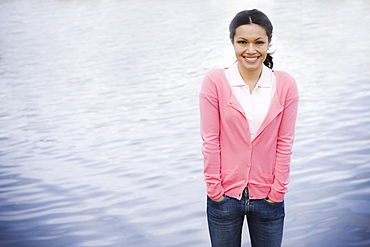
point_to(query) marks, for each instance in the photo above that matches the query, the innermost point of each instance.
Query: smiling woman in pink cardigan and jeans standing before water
(248, 114)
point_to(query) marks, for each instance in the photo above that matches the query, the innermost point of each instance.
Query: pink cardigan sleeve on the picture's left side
(210, 133)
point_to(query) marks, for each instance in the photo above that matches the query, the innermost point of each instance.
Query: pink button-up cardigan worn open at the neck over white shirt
(231, 160)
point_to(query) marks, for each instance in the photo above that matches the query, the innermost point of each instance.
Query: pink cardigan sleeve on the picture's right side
(285, 143)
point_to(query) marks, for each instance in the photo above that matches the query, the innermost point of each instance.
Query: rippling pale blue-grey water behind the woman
(99, 119)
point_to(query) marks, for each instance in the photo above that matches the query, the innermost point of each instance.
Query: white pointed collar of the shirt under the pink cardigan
(236, 79)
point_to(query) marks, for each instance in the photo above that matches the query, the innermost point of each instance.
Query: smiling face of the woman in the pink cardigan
(250, 44)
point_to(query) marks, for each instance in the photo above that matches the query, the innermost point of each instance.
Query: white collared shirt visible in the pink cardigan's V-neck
(257, 103)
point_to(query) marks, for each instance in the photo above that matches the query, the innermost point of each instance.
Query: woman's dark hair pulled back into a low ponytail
(253, 16)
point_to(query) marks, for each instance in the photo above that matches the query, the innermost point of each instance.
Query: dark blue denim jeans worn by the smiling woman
(225, 221)
